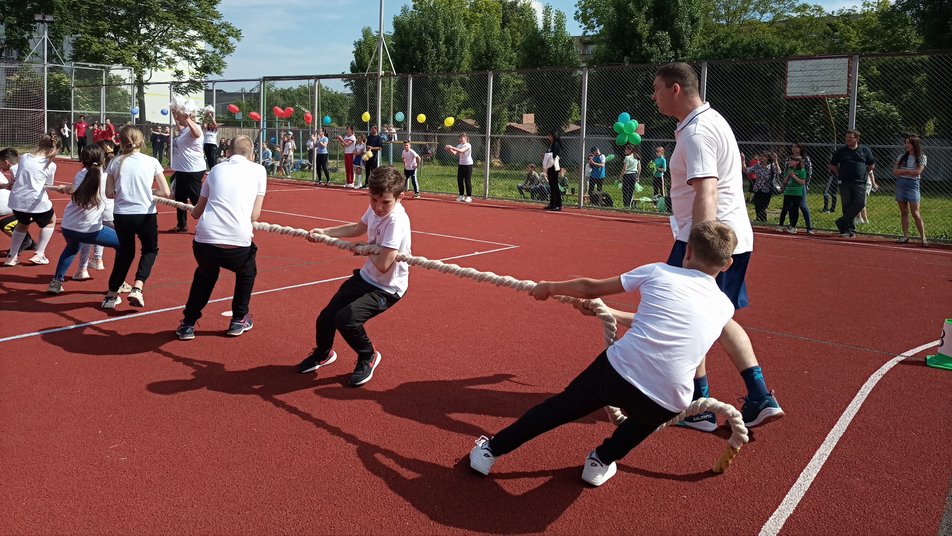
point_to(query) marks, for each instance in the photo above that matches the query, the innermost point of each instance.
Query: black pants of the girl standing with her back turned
(128, 227)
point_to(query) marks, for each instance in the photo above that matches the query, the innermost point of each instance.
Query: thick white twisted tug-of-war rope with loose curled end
(609, 328)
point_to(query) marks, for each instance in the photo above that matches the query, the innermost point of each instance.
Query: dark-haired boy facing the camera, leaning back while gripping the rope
(374, 288)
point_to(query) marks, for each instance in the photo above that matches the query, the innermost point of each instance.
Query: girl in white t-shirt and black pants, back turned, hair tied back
(132, 177)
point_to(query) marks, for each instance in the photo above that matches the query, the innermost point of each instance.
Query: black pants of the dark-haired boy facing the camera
(356, 302)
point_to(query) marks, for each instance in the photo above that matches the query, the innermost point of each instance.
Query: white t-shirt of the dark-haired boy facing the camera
(392, 231)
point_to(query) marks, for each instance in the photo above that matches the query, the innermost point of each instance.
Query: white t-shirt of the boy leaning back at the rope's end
(681, 314)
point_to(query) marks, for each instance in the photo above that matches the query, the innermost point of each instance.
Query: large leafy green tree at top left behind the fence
(190, 39)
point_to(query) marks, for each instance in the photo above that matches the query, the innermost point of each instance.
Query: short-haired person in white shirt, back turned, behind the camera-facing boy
(229, 203)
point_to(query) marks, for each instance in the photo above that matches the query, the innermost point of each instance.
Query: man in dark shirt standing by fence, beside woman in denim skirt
(850, 164)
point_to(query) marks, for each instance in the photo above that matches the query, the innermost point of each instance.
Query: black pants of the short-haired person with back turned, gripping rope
(211, 259)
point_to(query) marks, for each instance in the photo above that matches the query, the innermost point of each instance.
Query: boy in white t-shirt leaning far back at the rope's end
(649, 372)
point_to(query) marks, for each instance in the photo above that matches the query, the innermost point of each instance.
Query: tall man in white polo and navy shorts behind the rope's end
(706, 184)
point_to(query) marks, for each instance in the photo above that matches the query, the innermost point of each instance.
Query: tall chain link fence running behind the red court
(506, 116)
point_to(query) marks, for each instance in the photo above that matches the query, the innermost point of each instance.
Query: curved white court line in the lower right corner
(800, 487)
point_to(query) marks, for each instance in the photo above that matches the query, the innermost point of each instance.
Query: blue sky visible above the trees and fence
(303, 37)
